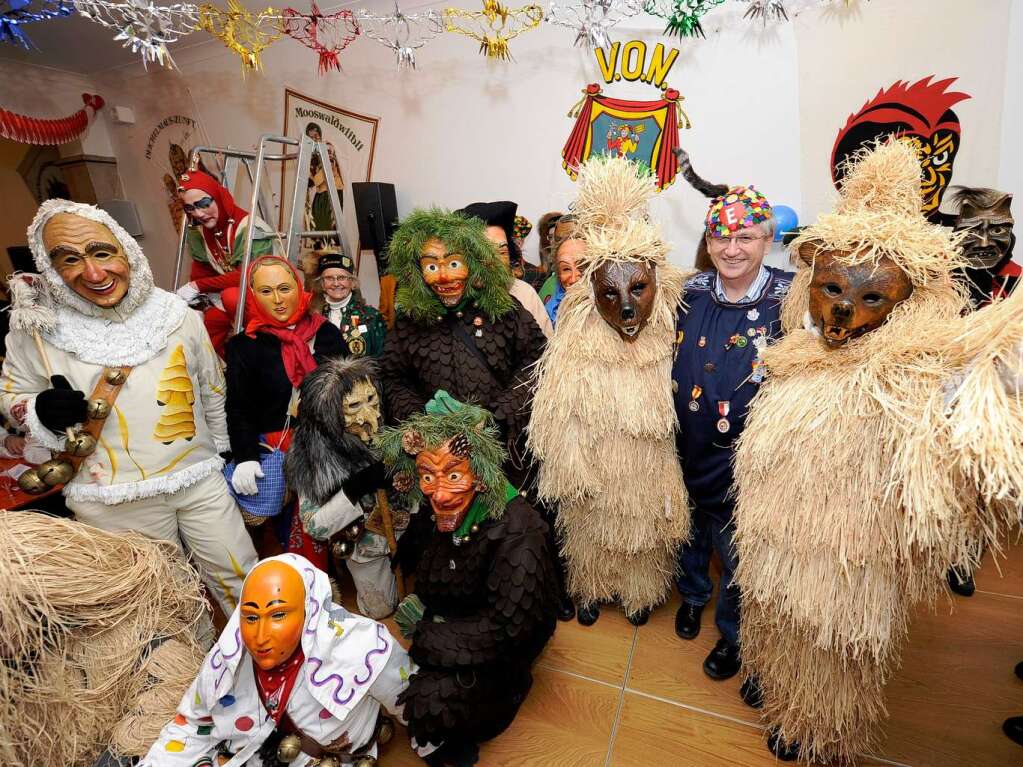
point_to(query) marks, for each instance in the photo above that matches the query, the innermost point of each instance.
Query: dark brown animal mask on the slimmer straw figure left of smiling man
(625, 295)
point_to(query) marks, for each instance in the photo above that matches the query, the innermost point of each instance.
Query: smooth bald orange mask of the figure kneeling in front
(273, 613)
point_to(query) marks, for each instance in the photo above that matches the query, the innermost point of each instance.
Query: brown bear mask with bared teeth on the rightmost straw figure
(850, 301)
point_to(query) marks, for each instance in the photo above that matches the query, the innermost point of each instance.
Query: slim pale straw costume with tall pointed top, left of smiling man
(604, 420)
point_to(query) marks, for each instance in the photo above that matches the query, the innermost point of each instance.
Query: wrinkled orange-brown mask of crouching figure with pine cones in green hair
(447, 478)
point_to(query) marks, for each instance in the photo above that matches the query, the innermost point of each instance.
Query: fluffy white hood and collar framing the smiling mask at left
(129, 334)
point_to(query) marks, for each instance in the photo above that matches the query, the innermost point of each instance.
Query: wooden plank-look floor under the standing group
(615, 695)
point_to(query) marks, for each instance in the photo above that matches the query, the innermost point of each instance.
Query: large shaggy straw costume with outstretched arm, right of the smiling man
(868, 462)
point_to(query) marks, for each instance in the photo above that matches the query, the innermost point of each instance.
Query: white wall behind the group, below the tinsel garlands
(766, 107)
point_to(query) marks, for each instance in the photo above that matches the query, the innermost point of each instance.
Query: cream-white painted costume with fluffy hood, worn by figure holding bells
(157, 468)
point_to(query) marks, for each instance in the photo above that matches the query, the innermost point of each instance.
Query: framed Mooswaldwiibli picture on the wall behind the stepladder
(351, 141)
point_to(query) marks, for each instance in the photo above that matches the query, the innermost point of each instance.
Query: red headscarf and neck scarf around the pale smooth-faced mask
(294, 334)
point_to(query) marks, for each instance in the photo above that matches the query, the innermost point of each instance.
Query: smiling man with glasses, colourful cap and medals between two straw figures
(731, 313)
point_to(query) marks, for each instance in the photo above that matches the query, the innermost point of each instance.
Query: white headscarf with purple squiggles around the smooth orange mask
(344, 653)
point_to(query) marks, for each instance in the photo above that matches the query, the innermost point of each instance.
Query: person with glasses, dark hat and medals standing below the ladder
(361, 325)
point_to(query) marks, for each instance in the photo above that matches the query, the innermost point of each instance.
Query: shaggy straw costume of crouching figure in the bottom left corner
(99, 640)
